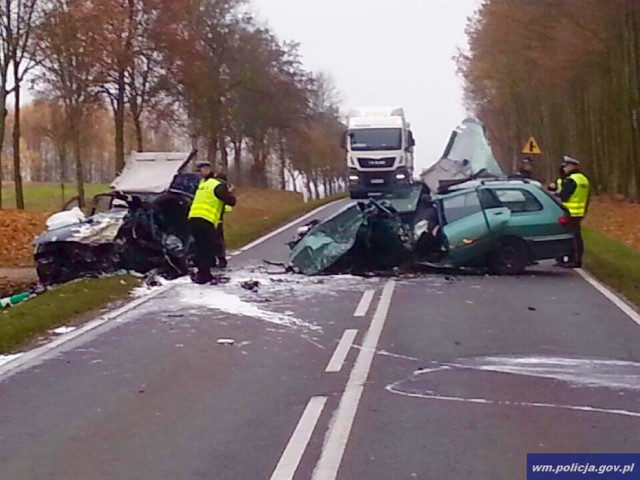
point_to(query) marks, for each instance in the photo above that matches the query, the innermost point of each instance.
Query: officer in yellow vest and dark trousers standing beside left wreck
(205, 216)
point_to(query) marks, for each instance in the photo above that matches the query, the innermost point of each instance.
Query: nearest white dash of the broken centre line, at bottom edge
(288, 464)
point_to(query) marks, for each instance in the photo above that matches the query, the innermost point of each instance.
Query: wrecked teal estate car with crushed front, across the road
(500, 225)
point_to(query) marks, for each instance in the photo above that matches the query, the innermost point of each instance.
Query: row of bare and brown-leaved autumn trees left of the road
(203, 71)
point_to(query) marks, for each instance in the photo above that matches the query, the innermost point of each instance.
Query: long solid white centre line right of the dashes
(340, 429)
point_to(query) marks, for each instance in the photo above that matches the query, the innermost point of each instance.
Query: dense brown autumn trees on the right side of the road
(566, 72)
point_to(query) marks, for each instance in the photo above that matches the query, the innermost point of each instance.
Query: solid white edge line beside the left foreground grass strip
(68, 341)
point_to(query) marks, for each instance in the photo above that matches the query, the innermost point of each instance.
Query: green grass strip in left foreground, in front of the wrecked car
(22, 324)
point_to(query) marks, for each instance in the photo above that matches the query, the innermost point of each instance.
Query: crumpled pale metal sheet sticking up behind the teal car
(467, 154)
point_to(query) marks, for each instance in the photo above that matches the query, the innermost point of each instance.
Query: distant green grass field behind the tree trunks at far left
(46, 197)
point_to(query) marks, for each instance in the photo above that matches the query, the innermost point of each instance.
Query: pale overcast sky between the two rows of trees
(384, 52)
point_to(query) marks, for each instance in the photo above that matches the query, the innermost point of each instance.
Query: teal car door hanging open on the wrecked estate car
(466, 228)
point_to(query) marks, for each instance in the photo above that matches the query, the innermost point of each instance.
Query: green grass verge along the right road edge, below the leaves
(613, 263)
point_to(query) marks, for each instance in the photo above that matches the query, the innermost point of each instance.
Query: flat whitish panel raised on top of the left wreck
(150, 172)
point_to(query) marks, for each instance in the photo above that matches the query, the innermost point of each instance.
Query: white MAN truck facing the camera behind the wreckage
(379, 145)
